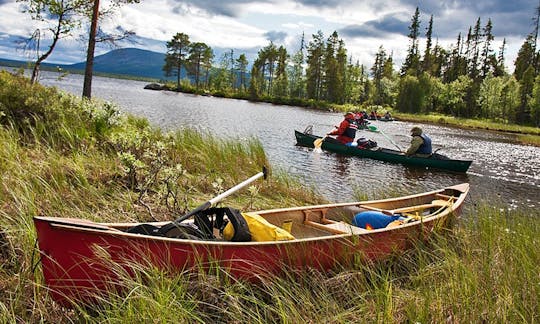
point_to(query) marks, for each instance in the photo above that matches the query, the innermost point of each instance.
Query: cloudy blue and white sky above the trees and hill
(246, 26)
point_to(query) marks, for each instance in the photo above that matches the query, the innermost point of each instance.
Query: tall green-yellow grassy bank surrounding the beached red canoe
(60, 156)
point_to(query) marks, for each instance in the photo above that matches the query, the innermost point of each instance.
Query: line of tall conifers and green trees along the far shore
(468, 79)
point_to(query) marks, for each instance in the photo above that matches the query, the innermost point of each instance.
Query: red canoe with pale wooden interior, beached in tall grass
(81, 259)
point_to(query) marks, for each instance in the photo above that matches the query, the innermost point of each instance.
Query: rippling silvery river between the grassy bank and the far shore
(502, 173)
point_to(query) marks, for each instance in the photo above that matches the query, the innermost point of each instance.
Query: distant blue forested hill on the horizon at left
(126, 61)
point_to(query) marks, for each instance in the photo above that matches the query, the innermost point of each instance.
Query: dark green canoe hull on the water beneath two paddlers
(384, 154)
